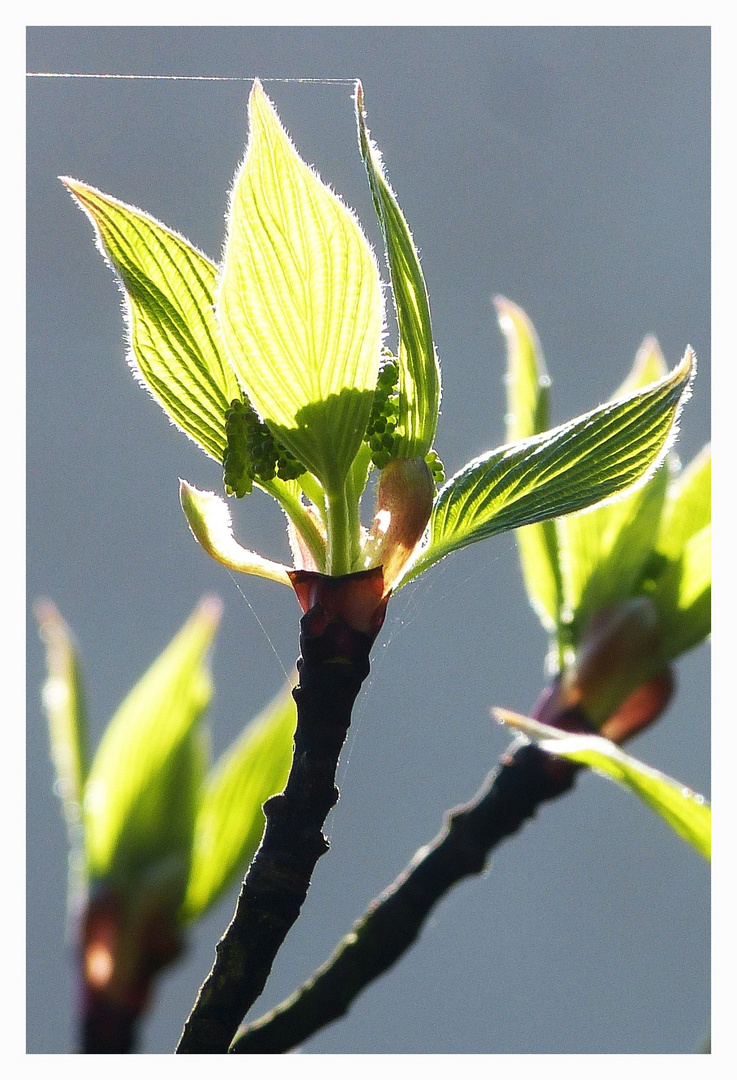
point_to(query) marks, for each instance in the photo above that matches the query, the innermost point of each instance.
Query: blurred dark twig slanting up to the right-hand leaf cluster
(526, 778)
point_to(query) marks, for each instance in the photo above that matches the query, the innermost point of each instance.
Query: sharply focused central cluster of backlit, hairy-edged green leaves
(273, 363)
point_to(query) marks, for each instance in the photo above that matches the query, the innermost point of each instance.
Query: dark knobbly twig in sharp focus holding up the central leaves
(332, 668)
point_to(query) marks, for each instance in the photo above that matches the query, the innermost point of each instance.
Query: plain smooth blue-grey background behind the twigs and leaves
(567, 169)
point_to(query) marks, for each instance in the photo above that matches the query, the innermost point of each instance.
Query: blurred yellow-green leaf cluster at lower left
(150, 813)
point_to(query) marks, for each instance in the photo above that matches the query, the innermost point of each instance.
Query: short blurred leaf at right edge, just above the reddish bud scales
(684, 597)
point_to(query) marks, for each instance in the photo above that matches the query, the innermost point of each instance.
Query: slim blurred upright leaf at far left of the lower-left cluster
(63, 700)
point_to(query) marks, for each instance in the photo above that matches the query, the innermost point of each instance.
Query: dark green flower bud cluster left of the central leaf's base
(252, 453)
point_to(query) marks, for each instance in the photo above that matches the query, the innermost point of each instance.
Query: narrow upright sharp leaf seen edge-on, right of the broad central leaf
(419, 368)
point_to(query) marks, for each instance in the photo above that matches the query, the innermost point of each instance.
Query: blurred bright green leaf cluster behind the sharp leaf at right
(653, 541)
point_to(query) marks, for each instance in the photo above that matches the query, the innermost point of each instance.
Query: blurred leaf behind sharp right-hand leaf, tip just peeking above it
(604, 551)
